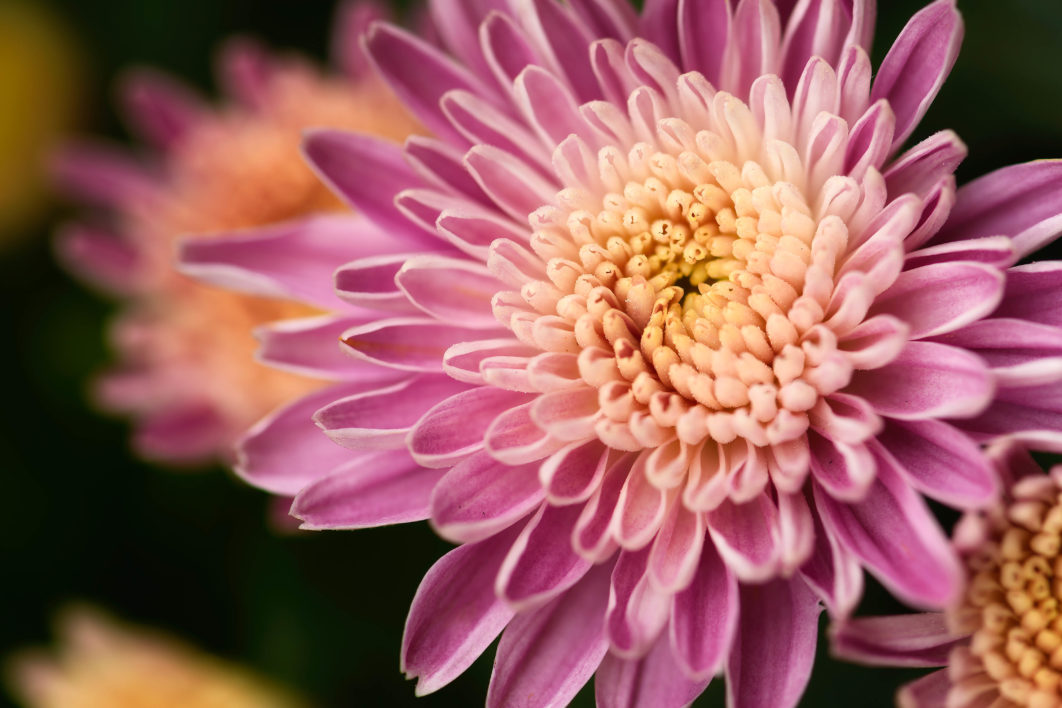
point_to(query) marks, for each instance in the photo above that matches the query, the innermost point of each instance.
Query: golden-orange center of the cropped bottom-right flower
(1012, 606)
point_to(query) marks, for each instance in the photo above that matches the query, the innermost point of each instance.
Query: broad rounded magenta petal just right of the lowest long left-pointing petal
(481, 496)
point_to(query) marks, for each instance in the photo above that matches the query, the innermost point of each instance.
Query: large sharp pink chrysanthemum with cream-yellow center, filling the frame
(665, 333)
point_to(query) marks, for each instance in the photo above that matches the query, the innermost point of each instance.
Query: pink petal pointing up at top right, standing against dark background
(917, 65)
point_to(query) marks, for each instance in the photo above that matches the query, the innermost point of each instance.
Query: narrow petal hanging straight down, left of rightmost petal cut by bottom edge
(705, 618)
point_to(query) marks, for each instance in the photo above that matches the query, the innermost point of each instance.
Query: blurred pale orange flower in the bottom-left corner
(102, 664)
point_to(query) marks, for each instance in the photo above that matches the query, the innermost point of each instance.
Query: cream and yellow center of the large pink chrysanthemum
(706, 278)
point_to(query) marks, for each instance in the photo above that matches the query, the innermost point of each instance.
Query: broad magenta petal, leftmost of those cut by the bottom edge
(549, 654)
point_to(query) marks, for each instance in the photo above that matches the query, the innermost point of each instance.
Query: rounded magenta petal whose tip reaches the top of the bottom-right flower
(940, 462)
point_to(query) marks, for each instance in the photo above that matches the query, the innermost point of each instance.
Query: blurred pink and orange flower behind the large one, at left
(186, 351)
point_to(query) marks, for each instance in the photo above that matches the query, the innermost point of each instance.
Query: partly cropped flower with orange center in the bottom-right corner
(1002, 643)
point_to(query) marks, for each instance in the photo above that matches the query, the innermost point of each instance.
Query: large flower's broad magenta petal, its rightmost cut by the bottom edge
(775, 649)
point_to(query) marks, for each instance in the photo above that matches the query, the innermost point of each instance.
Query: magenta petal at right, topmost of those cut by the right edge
(1022, 201)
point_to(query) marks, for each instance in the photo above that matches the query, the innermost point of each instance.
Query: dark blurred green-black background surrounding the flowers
(193, 554)
